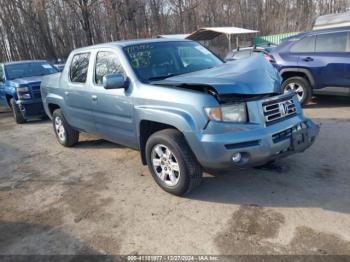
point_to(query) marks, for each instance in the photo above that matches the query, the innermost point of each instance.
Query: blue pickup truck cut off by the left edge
(20, 88)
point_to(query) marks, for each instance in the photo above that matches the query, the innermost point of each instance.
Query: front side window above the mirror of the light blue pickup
(106, 63)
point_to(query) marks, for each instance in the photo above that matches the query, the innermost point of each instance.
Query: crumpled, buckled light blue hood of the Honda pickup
(250, 76)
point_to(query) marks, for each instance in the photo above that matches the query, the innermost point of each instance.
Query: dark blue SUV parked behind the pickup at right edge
(315, 62)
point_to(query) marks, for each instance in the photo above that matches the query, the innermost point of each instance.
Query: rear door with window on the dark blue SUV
(333, 50)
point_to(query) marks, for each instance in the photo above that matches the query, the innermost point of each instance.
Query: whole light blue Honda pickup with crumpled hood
(181, 116)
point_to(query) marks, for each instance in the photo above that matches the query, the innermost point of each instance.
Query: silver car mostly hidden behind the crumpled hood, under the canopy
(241, 53)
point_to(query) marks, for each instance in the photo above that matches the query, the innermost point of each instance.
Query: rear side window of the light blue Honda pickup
(79, 68)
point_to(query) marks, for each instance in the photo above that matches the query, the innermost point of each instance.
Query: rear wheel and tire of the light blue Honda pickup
(65, 134)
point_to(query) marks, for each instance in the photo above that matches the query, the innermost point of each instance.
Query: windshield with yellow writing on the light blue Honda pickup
(157, 61)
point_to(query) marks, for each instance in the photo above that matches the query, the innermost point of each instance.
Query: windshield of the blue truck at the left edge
(21, 70)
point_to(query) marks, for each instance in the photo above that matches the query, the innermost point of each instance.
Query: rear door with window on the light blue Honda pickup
(77, 94)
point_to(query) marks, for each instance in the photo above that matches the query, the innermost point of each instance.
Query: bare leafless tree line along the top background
(41, 29)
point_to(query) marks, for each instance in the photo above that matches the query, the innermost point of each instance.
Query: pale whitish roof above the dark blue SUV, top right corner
(332, 21)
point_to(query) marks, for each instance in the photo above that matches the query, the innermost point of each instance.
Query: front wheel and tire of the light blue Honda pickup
(189, 174)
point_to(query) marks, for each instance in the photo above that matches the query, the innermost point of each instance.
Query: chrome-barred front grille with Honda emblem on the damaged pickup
(279, 109)
